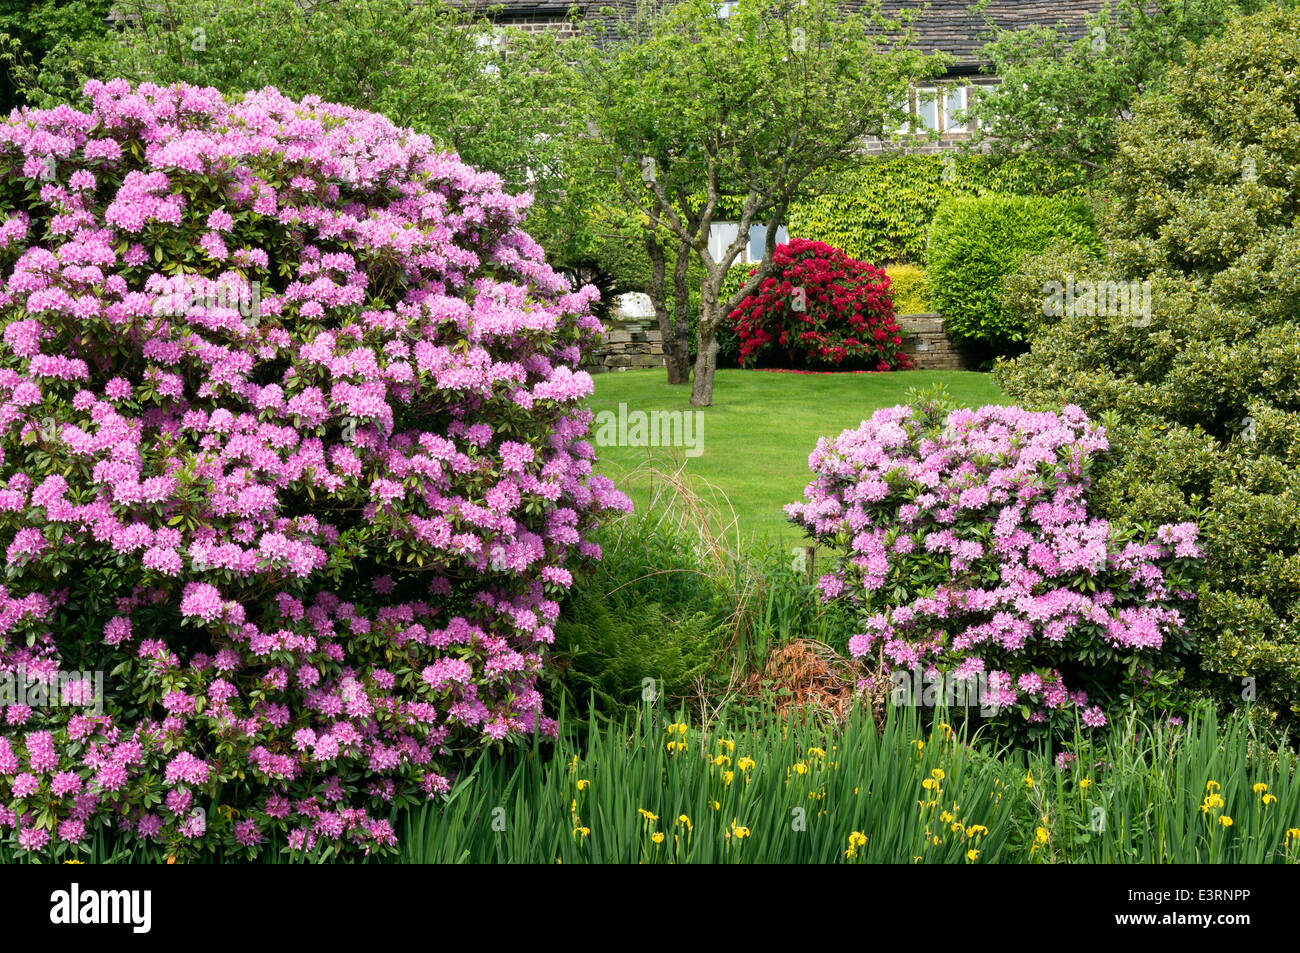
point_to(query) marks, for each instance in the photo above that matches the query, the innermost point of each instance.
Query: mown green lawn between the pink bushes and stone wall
(760, 432)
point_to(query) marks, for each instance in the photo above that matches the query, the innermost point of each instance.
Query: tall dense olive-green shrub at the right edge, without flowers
(1201, 391)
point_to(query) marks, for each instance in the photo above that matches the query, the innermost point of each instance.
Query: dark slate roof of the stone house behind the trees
(947, 27)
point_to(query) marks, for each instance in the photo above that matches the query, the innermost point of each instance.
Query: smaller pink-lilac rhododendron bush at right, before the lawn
(965, 545)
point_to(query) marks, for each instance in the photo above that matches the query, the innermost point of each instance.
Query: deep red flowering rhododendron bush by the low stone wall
(820, 309)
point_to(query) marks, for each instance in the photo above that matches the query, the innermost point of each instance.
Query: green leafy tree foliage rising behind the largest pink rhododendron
(445, 70)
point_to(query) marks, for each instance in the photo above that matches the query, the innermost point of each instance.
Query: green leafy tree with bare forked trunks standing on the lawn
(701, 118)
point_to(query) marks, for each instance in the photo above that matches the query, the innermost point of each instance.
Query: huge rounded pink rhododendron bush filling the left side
(292, 458)
